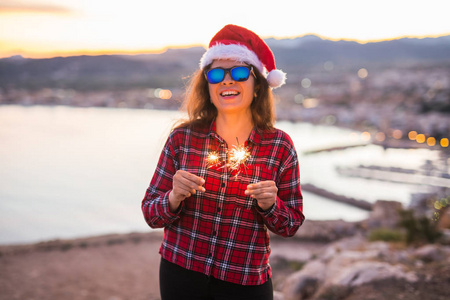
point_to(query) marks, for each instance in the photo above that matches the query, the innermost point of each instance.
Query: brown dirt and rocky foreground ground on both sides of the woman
(325, 260)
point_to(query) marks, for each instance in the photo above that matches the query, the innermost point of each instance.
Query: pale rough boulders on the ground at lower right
(353, 268)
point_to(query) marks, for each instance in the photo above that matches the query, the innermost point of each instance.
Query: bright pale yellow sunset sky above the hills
(46, 28)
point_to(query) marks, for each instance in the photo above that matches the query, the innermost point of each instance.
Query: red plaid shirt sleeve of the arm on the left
(155, 205)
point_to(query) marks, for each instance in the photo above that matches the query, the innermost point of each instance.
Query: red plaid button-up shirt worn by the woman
(222, 232)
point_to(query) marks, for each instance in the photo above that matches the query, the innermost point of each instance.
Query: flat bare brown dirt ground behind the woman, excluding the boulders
(112, 267)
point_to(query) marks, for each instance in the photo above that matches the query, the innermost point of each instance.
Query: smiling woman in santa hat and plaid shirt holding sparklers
(225, 177)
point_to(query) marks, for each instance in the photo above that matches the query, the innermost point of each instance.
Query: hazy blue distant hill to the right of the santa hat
(312, 50)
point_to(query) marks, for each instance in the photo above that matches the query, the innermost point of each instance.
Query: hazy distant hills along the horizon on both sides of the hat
(171, 68)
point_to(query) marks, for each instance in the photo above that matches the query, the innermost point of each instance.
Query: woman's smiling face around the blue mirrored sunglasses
(230, 96)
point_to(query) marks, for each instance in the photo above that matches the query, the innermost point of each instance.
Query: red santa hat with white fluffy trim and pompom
(240, 44)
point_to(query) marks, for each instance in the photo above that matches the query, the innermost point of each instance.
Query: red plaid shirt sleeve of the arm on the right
(286, 215)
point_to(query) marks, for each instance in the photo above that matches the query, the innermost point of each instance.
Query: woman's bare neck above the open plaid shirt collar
(234, 127)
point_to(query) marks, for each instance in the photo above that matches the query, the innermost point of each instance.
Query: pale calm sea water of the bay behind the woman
(70, 172)
